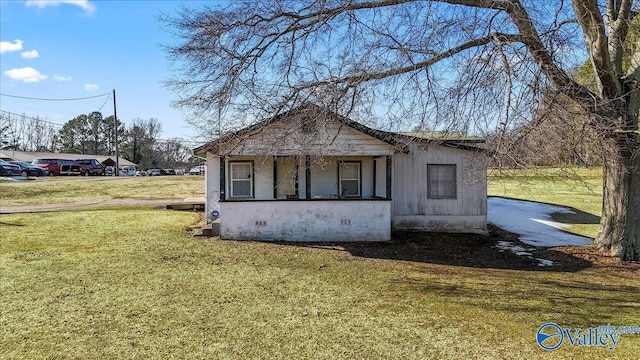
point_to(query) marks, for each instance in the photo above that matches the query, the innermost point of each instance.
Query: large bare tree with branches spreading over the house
(467, 65)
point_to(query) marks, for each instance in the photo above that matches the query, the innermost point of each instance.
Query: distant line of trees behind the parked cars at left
(94, 134)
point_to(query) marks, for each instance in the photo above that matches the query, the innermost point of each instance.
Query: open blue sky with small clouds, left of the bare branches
(60, 49)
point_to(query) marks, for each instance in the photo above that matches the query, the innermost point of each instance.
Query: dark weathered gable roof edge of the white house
(400, 141)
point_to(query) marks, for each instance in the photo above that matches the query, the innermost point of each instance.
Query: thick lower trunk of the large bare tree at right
(620, 222)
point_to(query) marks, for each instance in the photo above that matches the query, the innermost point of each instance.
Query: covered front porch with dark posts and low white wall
(301, 197)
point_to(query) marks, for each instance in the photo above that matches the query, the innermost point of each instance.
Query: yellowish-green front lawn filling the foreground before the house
(134, 283)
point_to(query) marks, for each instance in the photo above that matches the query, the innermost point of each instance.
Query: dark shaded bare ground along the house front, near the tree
(467, 250)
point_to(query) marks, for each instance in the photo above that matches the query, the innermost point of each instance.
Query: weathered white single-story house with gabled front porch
(312, 175)
